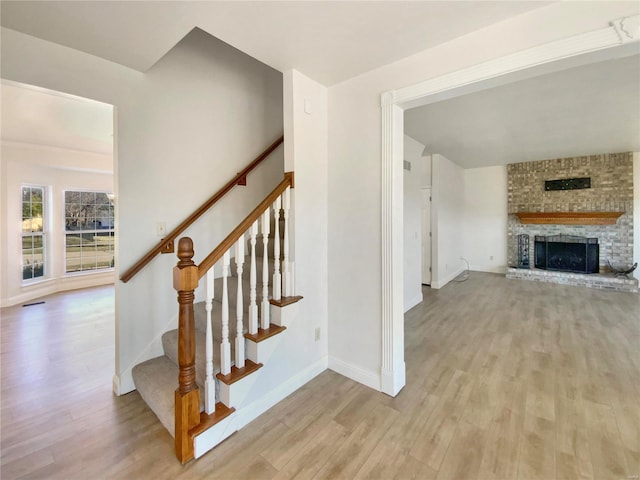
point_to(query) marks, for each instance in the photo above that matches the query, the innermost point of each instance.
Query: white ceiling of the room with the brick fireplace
(580, 111)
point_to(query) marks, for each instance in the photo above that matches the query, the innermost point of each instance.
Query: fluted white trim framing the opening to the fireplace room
(553, 56)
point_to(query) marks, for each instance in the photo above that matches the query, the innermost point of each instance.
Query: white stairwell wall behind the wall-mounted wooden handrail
(184, 128)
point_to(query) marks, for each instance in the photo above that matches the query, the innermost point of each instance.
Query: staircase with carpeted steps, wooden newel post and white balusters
(191, 425)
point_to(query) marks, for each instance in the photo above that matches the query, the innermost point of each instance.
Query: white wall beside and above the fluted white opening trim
(355, 195)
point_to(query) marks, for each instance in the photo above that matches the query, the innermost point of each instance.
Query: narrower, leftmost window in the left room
(33, 236)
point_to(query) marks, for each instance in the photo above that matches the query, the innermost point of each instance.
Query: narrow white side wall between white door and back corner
(447, 220)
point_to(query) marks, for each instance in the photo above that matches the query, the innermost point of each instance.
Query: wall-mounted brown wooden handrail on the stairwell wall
(239, 179)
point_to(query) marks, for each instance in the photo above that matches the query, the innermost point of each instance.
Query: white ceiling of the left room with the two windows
(41, 117)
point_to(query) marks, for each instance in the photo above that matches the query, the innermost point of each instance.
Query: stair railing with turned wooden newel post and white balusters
(186, 278)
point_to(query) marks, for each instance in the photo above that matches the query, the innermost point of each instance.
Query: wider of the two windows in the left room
(89, 233)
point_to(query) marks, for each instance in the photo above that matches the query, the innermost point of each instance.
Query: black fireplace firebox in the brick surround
(567, 253)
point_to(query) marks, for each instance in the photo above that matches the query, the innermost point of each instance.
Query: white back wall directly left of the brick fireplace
(485, 218)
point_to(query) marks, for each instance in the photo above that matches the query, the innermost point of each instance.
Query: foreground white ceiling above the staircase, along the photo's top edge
(327, 41)
